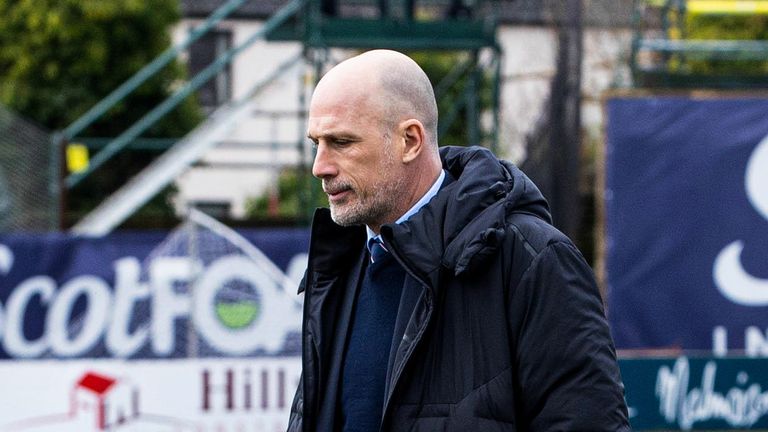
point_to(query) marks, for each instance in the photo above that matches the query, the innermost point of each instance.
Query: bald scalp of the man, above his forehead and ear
(387, 82)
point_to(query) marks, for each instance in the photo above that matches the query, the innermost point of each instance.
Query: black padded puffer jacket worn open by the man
(500, 328)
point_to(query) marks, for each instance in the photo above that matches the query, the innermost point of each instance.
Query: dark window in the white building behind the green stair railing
(203, 52)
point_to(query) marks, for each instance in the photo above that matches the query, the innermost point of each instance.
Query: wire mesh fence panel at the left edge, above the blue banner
(28, 176)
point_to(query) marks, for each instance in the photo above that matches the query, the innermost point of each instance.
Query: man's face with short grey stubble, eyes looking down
(356, 161)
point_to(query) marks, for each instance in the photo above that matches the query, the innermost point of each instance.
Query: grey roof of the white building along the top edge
(600, 13)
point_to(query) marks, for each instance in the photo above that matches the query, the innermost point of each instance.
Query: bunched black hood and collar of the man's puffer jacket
(470, 212)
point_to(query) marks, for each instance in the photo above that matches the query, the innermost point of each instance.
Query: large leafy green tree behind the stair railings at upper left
(58, 58)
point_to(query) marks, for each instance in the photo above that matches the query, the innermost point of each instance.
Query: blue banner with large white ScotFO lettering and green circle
(202, 290)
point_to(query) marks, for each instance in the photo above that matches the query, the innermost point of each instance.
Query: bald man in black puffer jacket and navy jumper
(438, 296)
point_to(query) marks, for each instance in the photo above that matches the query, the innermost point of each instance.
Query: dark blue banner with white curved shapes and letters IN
(687, 223)
